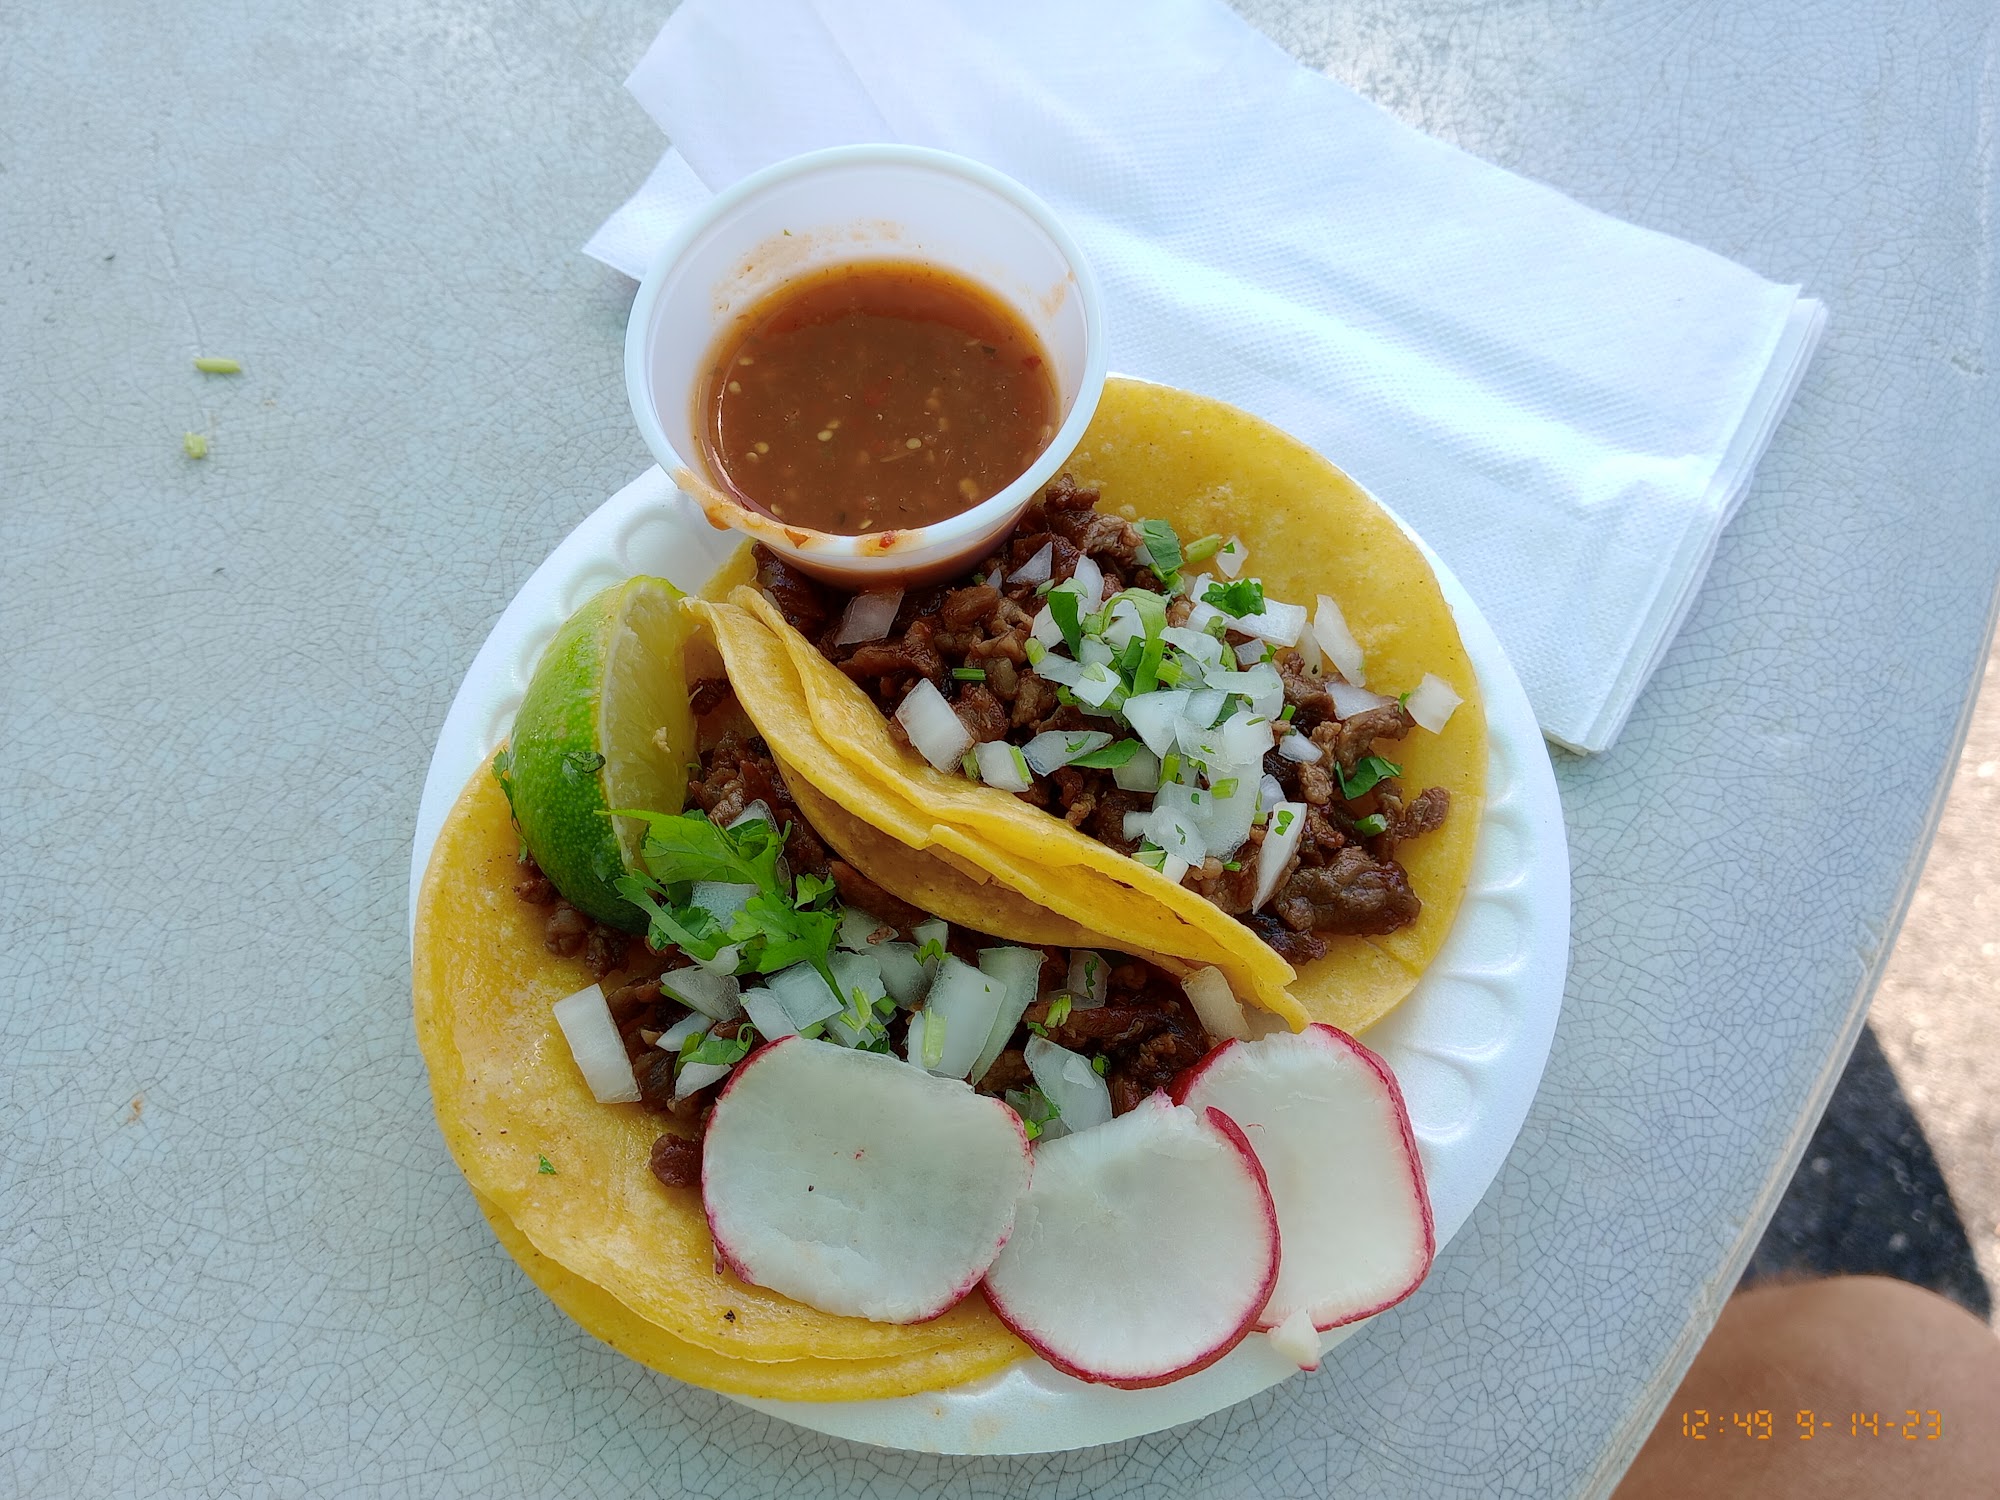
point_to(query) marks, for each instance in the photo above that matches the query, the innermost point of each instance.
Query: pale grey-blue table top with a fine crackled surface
(235, 1257)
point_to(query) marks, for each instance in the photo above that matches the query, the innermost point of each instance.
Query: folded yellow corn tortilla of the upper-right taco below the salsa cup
(1309, 529)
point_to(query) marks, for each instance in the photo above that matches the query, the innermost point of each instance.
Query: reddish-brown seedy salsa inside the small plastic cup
(875, 397)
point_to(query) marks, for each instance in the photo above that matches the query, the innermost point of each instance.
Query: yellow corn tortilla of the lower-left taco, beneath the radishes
(509, 1097)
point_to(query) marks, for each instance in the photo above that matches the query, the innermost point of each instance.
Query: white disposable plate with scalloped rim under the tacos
(1469, 1047)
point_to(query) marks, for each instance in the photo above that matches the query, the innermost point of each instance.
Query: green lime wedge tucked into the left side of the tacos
(605, 725)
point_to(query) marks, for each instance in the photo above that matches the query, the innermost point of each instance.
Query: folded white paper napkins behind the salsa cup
(1563, 405)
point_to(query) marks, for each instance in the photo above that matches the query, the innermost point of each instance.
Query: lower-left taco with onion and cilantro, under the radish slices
(603, 1203)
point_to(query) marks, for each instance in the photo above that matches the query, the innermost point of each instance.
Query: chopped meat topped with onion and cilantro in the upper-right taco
(1231, 737)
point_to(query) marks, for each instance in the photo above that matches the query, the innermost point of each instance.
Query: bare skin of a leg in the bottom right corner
(1843, 1347)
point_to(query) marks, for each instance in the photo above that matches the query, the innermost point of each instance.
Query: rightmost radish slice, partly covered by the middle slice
(1331, 1129)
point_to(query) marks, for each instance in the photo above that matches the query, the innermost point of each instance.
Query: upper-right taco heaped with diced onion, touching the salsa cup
(1209, 693)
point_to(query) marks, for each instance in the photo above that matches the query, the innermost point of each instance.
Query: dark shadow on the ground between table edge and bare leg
(1869, 1197)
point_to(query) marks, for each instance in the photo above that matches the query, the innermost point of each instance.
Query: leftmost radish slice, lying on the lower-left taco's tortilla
(857, 1183)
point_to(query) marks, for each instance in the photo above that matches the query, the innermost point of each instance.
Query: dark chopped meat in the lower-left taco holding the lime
(1139, 1035)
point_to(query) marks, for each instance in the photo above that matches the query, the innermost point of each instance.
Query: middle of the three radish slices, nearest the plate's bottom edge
(1145, 1249)
